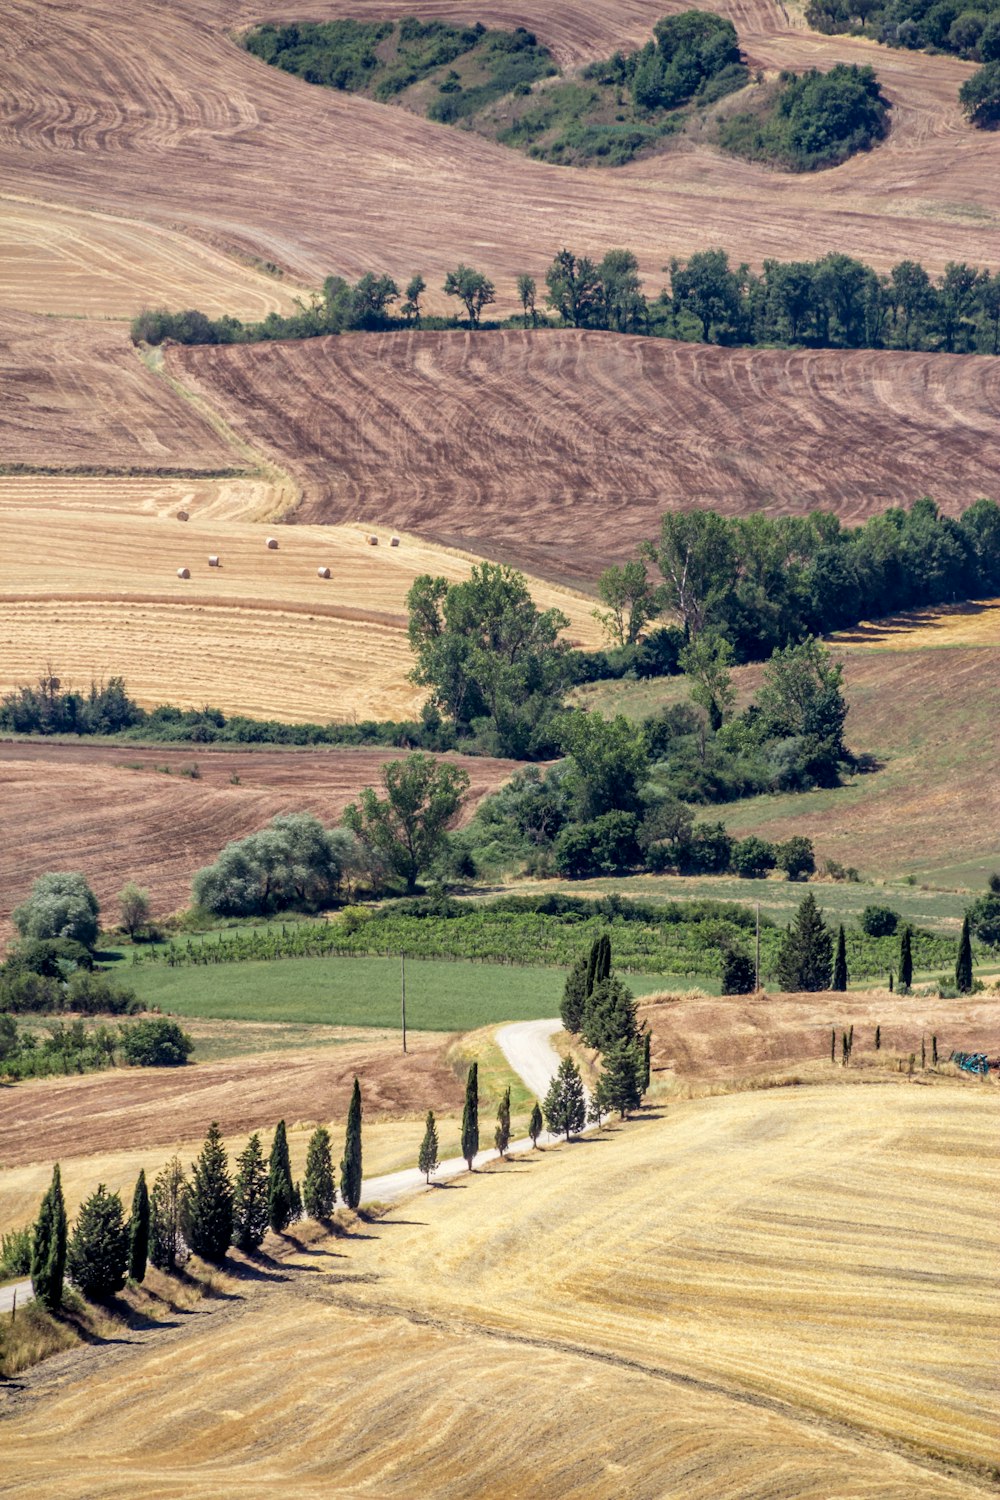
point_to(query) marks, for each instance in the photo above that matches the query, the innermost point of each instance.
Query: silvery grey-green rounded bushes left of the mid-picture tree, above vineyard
(293, 865)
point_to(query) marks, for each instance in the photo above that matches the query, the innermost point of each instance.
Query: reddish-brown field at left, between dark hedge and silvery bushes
(115, 814)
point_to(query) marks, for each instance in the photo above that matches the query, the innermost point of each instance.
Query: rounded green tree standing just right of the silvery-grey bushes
(409, 829)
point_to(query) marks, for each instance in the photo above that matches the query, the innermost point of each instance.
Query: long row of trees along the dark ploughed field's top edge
(837, 302)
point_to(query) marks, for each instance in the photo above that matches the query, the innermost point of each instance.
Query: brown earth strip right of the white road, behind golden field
(711, 1040)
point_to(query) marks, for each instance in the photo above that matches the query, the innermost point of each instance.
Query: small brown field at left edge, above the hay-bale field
(77, 394)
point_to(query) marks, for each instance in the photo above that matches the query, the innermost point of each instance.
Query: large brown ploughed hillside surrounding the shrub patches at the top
(155, 110)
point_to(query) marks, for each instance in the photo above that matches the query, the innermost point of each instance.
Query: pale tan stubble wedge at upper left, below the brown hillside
(59, 260)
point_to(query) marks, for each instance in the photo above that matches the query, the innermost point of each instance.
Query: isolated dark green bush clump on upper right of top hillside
(812, 119)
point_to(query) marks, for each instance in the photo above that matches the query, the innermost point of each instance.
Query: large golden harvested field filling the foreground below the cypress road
(771, 1295)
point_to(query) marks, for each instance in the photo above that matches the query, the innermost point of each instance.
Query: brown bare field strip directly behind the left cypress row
(53, 1120)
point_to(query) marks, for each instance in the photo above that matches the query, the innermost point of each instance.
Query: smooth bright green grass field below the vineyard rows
(365, 992)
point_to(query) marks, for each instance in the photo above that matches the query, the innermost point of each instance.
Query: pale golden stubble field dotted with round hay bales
(259, 635)
